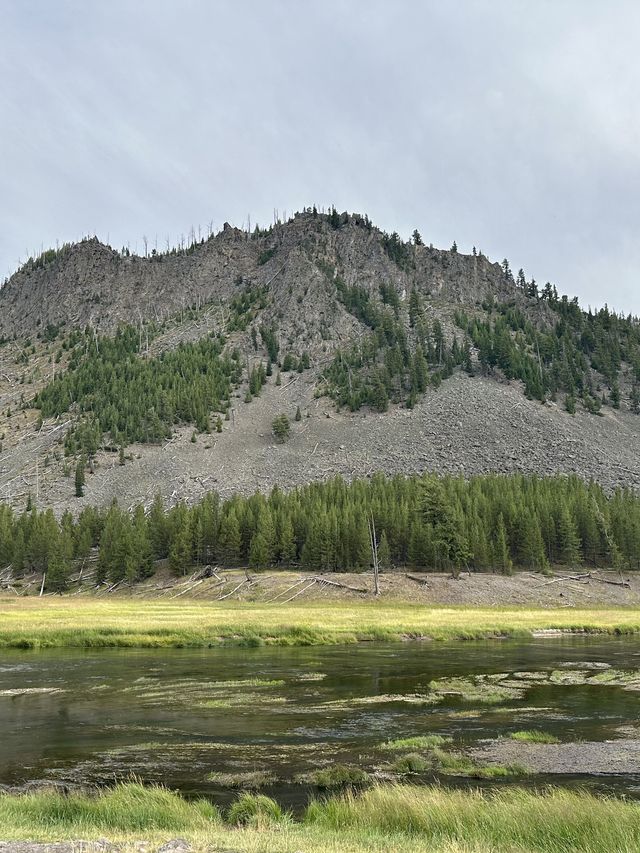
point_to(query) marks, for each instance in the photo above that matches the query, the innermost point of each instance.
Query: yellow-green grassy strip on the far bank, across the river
(58, 622)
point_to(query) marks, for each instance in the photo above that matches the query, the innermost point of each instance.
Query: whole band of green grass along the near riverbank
(402, 818)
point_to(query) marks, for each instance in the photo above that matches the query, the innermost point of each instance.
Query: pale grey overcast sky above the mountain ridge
(509, 125)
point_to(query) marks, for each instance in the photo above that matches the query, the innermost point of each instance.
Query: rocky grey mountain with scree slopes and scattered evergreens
(384, 355)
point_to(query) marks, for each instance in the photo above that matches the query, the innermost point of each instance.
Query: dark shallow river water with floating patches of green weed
(183, 717)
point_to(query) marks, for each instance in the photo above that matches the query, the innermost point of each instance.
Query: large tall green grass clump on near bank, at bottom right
(553, 821)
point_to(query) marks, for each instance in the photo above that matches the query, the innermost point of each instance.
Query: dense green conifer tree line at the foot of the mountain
(487, 523)
